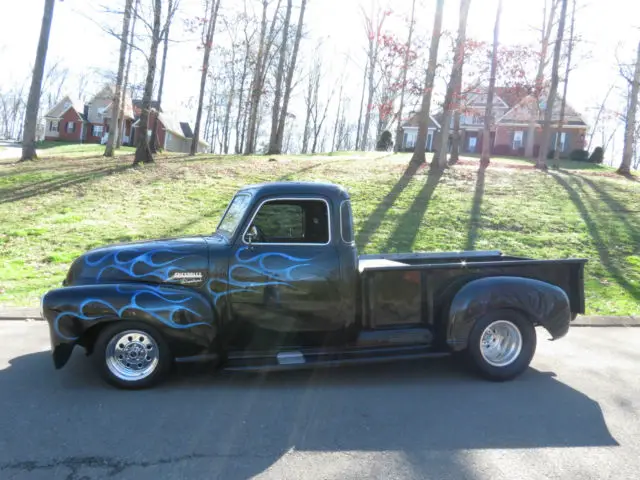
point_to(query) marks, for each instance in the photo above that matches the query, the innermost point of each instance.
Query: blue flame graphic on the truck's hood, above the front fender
(161, 270)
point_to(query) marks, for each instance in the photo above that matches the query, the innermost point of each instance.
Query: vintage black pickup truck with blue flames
(280, 285)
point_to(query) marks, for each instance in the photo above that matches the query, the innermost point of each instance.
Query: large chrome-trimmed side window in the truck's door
(291, 221)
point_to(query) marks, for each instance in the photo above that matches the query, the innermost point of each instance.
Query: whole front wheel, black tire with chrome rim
(131, 355)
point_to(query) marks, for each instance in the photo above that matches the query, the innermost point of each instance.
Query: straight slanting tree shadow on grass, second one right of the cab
(408, 226)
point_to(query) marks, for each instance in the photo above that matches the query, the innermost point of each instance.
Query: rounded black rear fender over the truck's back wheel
(544, 304)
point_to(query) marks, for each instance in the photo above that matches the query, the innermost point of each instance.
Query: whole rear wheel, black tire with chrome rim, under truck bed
(501, 345)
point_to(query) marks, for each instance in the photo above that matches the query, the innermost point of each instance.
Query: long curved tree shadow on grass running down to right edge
(607, 261)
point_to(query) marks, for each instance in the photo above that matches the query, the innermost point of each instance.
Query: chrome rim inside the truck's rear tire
(500, 343)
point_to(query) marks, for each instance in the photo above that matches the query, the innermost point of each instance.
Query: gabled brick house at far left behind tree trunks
(67, 121)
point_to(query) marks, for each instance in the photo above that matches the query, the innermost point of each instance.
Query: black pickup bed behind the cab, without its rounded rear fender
(417, 288)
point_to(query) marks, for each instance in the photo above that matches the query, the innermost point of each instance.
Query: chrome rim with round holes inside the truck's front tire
(132, 355)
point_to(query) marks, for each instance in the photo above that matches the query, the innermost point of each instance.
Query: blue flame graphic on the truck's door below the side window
(258, 264)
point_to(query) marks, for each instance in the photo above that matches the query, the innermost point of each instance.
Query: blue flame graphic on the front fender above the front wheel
(172, 303)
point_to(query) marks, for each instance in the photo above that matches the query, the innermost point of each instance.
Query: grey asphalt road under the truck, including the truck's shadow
(574, 414)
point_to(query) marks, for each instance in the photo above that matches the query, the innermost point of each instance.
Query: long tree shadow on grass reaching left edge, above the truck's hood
(34, 189)
